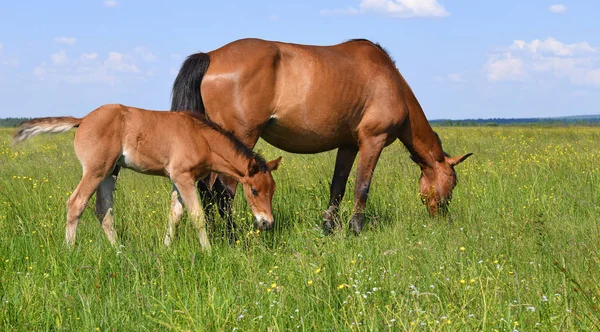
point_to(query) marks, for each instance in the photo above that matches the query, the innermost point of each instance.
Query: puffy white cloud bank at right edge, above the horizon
(541, 60)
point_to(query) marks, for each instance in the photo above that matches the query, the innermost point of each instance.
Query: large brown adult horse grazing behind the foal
(310, 99)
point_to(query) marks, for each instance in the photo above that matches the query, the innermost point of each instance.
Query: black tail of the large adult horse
(186, 88)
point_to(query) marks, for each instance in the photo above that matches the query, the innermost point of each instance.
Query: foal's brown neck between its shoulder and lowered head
(225, 157)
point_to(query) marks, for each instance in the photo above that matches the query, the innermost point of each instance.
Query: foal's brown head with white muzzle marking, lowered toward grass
(259, 187)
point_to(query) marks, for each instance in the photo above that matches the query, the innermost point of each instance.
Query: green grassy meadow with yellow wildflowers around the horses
(518, 251)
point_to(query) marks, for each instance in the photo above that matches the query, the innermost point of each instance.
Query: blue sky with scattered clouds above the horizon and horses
(463, 58)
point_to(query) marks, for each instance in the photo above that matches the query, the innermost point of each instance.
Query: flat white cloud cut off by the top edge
(394, 8)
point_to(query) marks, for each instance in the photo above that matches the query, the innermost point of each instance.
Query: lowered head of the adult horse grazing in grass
(437, 182)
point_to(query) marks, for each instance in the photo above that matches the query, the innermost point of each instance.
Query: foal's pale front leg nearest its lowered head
(186, 186)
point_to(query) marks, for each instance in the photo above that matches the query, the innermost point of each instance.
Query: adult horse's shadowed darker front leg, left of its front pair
(343, 165)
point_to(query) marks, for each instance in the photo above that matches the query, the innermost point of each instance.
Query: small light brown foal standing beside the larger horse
(180, 145)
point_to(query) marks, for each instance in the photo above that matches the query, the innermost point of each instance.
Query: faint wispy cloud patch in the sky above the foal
(86, 68)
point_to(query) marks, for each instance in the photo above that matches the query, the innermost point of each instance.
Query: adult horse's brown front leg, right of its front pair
(369, 152)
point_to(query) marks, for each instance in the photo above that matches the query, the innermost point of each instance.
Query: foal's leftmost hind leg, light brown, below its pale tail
(76, 203)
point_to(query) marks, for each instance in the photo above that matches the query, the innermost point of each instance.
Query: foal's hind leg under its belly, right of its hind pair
(104, 205)
